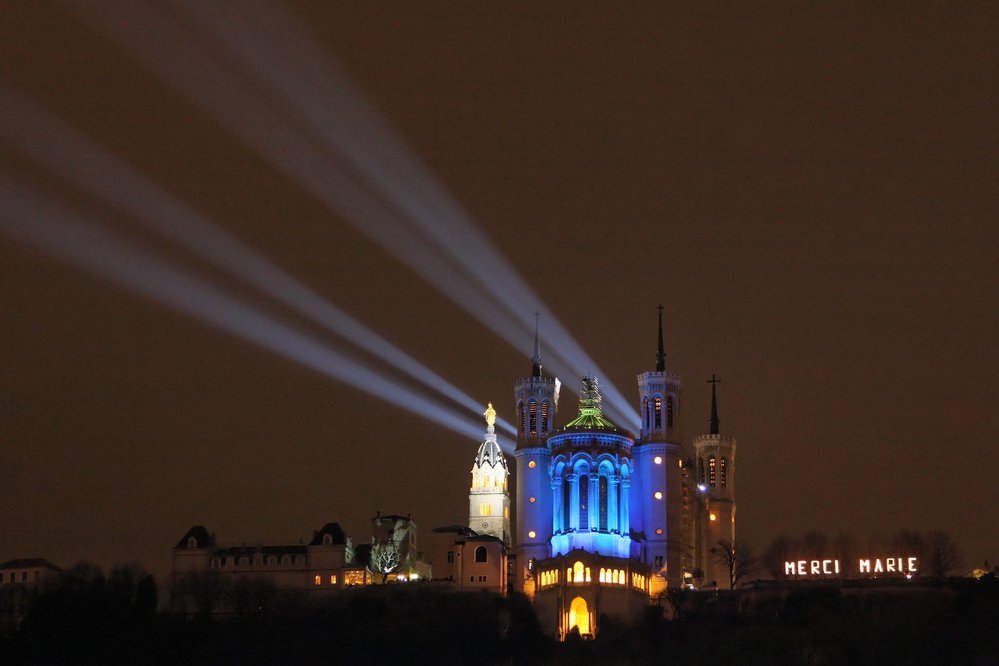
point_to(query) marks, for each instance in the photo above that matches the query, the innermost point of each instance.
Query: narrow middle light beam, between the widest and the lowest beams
(68, 153)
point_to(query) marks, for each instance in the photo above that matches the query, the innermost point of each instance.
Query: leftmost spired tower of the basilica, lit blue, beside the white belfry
(536, 399)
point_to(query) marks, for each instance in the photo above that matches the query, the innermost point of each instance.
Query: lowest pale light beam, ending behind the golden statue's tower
(41, 222)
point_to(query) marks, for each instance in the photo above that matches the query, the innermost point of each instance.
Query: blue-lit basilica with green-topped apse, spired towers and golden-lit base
(605, 520)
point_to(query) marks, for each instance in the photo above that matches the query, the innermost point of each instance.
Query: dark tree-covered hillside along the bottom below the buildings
(86, 618)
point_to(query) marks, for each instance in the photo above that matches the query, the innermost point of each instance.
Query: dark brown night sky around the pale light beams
(810, 189)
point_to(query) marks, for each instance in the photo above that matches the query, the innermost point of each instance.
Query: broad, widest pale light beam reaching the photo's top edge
(258, 72)
